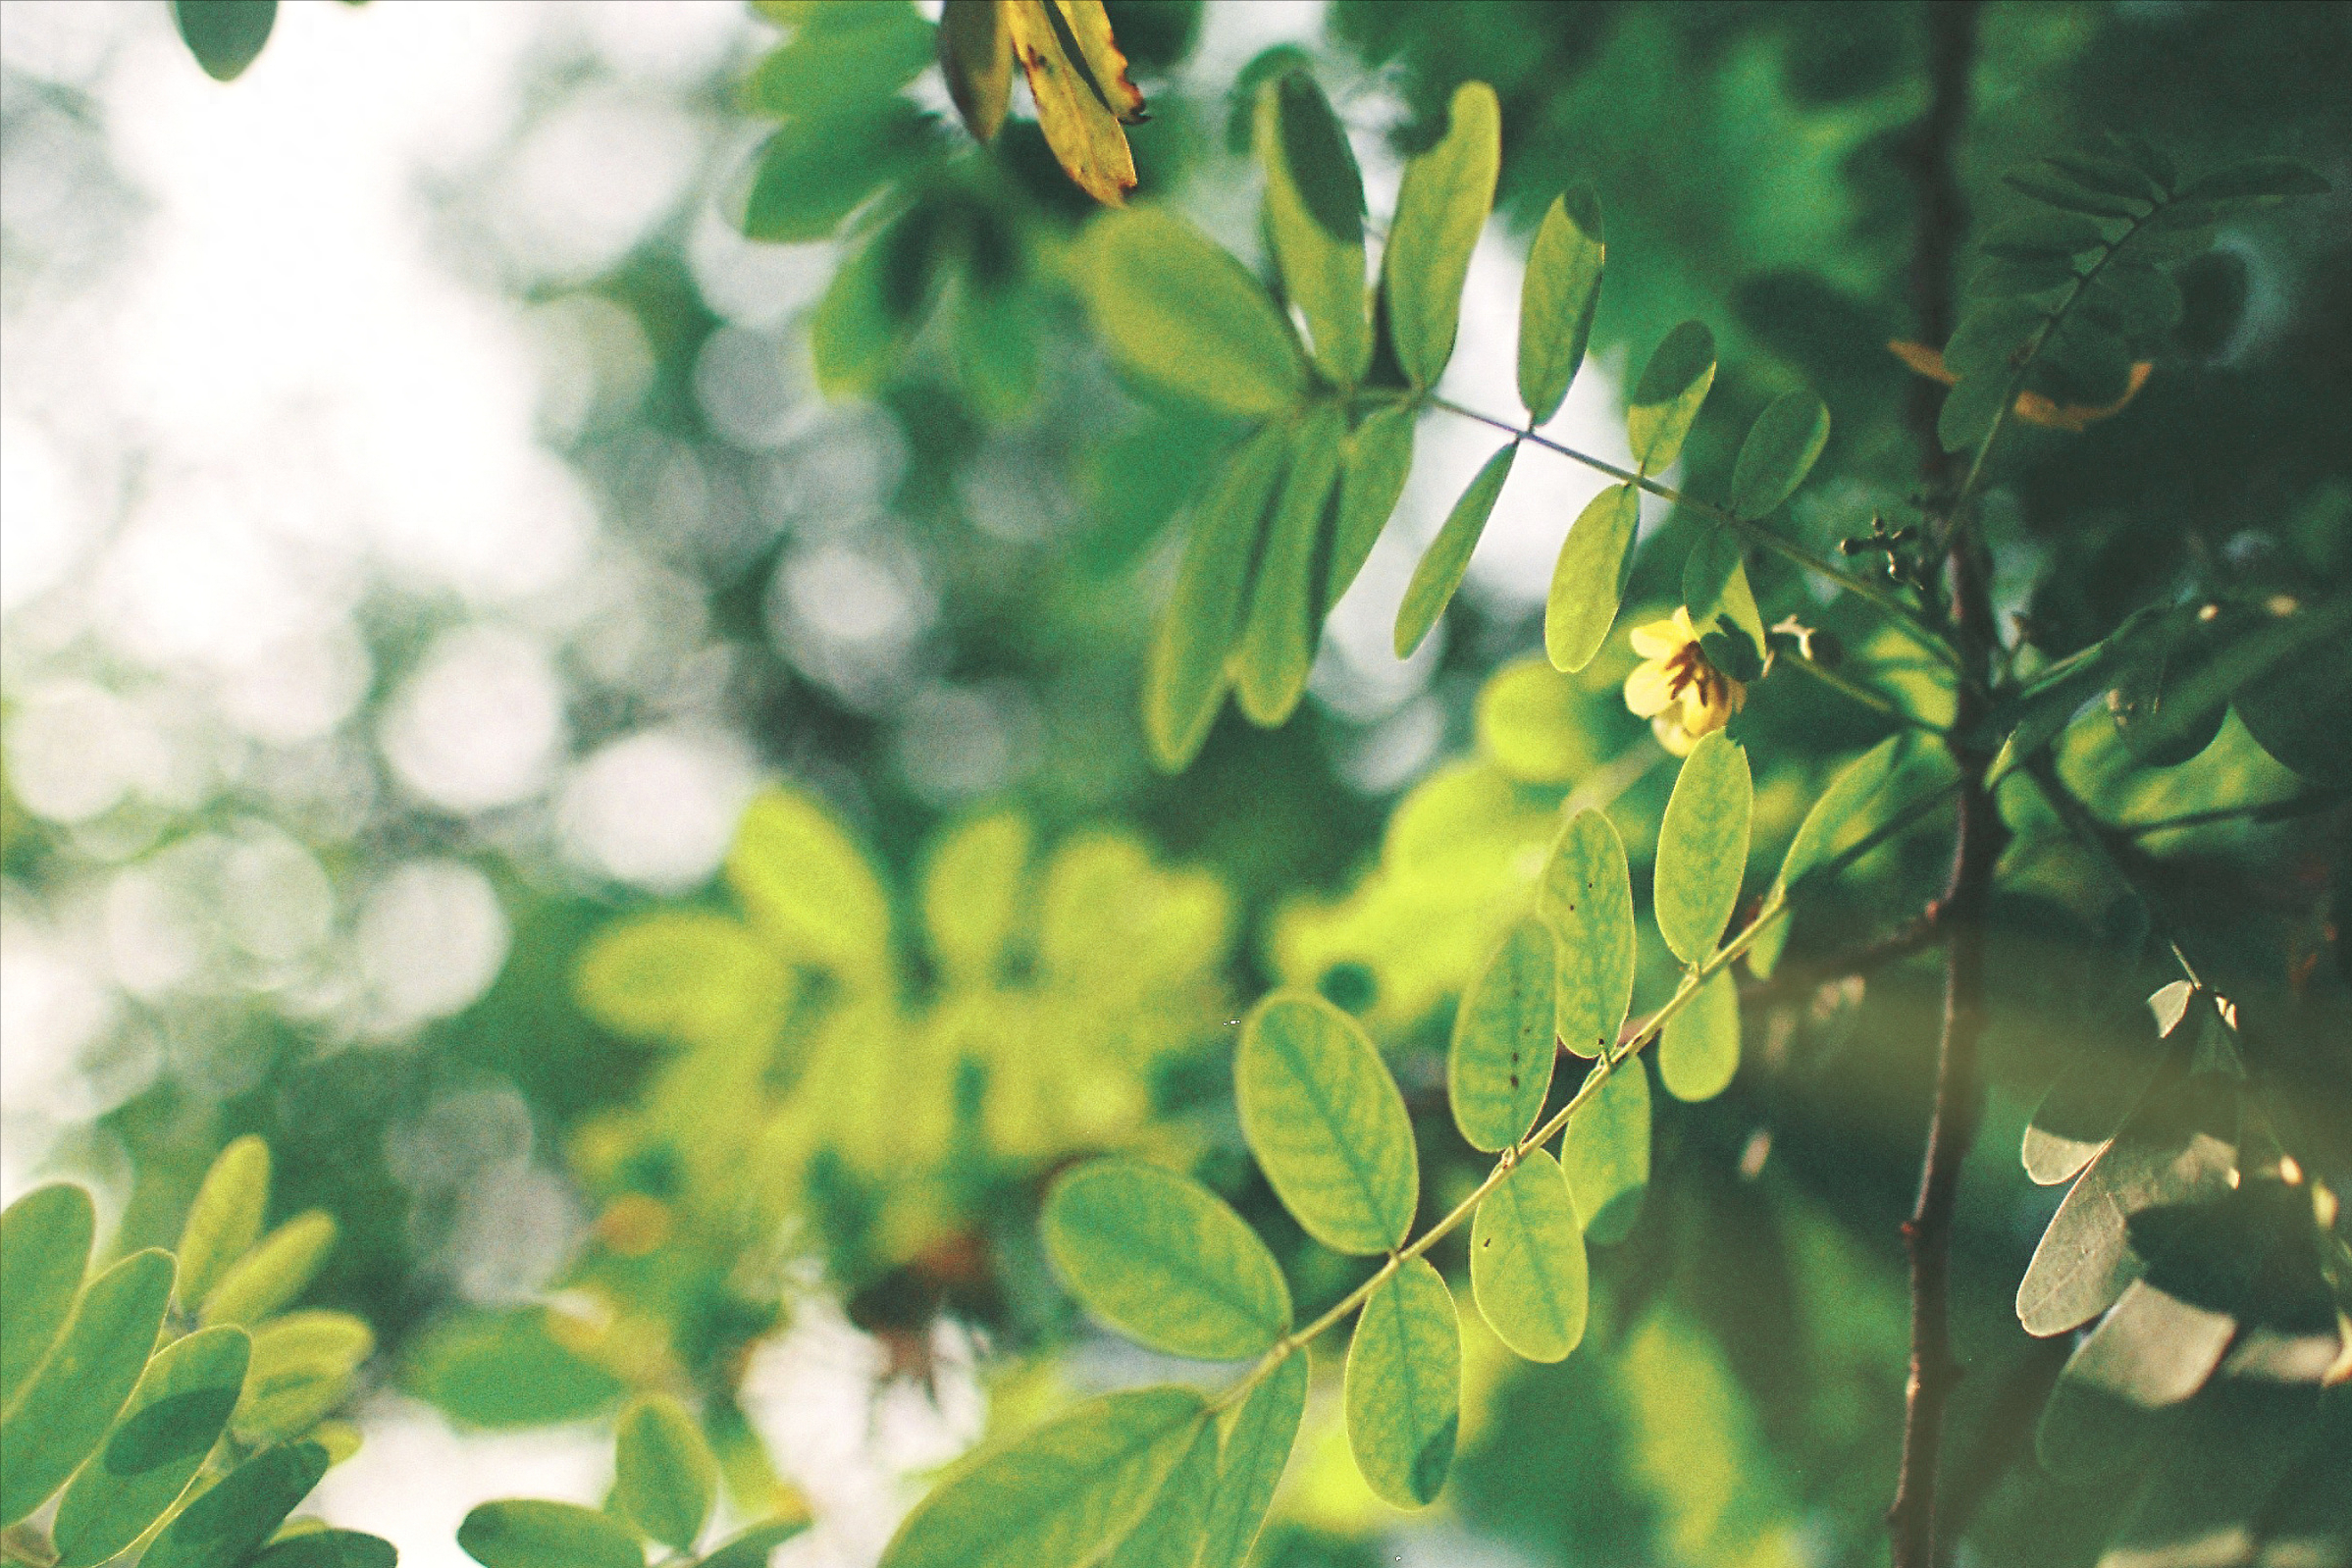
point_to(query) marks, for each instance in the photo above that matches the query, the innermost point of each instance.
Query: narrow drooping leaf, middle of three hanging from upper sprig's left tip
(1278, 638)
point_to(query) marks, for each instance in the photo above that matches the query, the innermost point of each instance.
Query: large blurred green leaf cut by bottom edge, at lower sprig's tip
(1057, 1496)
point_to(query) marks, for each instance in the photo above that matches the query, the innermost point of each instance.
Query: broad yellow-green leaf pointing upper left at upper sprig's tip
(1189, 319)
